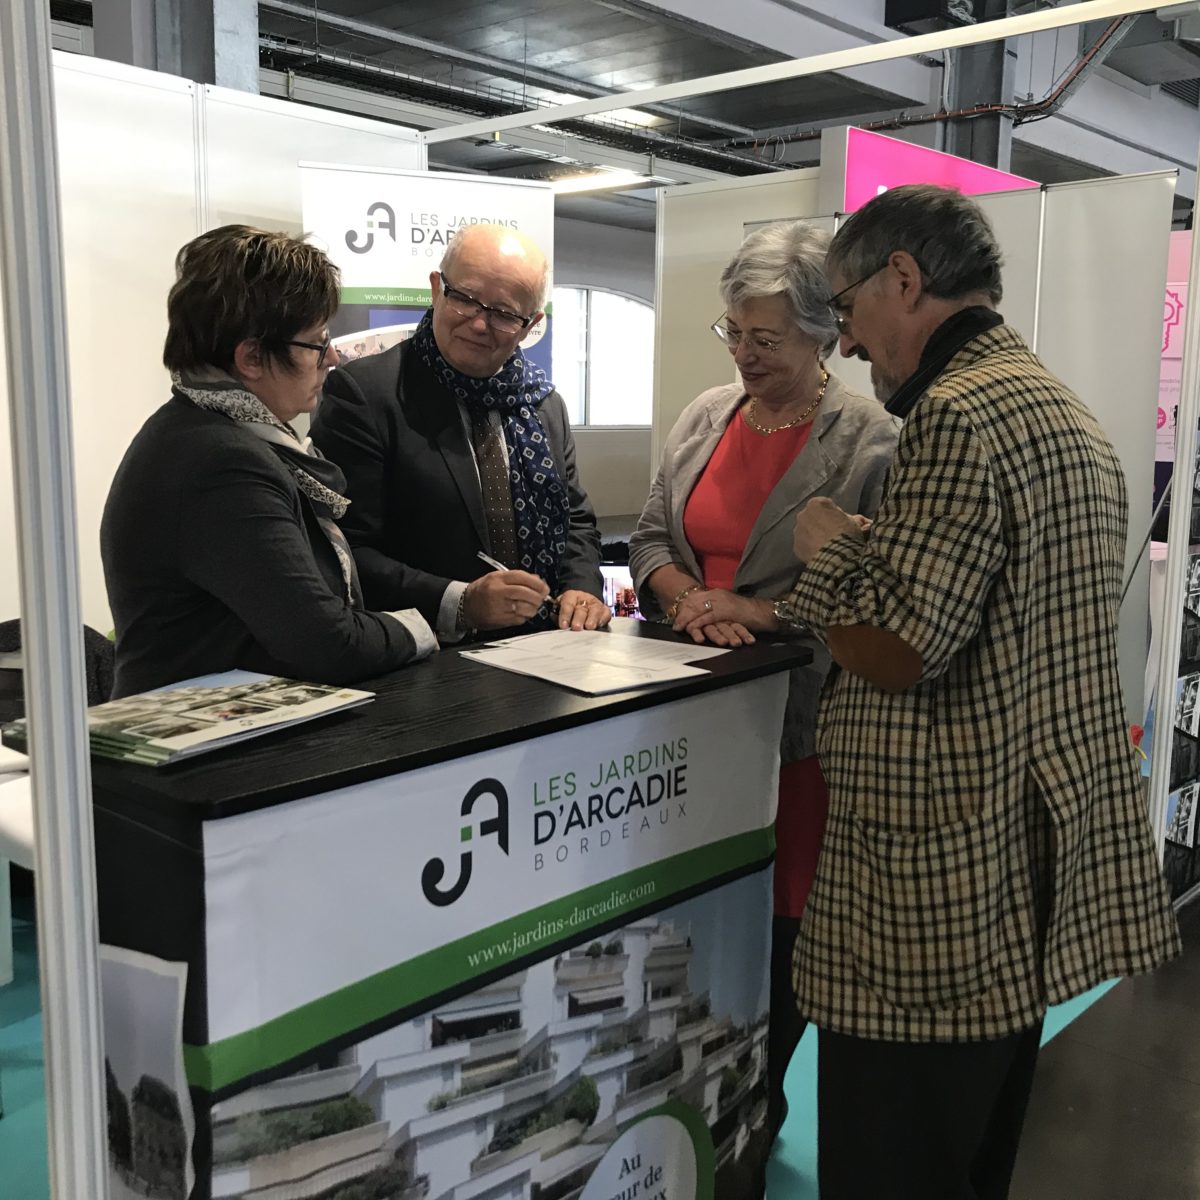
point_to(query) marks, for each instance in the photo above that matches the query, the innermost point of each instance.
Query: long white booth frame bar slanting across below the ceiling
(838, 61)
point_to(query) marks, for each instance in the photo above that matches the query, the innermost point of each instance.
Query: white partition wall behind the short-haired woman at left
(148, 161)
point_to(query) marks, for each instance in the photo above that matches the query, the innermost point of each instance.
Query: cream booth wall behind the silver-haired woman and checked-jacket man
(1084, 279)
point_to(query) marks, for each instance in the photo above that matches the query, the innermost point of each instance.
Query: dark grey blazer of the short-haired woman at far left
(214, 560)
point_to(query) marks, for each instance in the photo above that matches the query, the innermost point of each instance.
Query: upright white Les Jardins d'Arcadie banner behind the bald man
(388, 230)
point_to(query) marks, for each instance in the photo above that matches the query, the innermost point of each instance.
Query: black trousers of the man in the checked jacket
(922, 1121)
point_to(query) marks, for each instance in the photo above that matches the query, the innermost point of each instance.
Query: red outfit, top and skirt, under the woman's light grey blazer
(722, 512)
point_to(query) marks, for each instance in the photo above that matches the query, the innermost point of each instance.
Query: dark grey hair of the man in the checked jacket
(946, 233)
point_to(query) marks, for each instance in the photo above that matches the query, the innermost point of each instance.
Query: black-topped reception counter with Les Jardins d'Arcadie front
(481, 939)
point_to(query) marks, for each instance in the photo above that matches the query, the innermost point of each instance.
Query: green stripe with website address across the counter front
(224, 1064)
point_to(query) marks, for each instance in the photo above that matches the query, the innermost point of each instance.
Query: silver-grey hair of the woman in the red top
(785, 259)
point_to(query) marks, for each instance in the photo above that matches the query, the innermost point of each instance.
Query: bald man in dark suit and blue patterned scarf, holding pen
(453, 443)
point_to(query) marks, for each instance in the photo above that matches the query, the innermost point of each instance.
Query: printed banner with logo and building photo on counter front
(541, 971)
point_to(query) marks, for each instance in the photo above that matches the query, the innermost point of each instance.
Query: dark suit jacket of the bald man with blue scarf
(417, 514)
